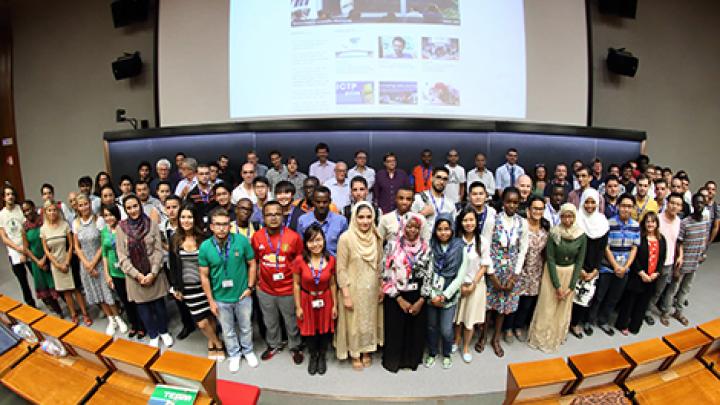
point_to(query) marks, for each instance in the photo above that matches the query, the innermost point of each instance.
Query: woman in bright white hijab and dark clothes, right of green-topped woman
(596, 228)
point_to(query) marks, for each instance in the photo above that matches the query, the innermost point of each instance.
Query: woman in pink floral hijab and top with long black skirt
(406, 284)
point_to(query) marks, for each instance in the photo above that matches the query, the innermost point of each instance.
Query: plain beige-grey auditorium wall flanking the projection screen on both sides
(65, 95)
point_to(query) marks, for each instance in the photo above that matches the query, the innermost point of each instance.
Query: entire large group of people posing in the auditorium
(417, 265)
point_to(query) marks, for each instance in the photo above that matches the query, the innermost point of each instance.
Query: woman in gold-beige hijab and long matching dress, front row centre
(360, 318)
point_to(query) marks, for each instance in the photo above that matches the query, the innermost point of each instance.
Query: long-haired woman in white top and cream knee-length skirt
(473, 292)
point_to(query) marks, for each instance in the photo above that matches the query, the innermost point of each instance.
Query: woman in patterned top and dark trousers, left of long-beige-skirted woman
(531, 275)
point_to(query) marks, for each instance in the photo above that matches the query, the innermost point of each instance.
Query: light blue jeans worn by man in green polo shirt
(239, 312)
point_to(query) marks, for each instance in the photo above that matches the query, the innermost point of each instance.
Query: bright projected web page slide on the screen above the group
(377, 58)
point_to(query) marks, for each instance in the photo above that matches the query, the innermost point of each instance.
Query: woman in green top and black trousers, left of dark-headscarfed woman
(114, 277)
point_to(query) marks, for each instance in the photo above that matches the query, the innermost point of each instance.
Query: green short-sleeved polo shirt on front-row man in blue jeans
(238, 252)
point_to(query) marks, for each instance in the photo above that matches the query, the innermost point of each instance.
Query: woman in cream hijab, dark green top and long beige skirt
(565, 255)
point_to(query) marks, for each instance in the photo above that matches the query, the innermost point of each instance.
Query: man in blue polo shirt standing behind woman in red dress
(333, 225)
